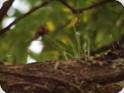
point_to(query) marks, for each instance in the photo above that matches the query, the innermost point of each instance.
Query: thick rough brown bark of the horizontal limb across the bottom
(84, 75)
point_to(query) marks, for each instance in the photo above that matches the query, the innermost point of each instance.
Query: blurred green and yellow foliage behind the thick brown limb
(81, 33)
